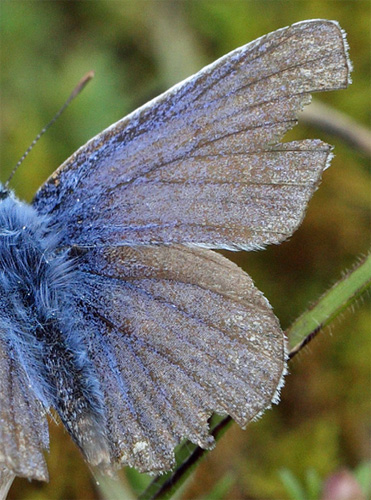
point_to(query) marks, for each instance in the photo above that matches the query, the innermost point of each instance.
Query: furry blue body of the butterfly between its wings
(40, 328)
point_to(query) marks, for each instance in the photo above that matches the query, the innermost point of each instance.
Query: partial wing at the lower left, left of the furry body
(23, 430)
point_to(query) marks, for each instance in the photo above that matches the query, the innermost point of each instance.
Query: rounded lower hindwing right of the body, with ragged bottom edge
(176, 333)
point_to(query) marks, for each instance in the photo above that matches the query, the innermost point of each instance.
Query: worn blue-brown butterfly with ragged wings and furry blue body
(115, 312)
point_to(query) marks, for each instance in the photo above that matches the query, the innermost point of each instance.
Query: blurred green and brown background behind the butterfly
(138, 49)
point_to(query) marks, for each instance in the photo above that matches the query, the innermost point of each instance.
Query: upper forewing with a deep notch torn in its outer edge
(200, 164)
